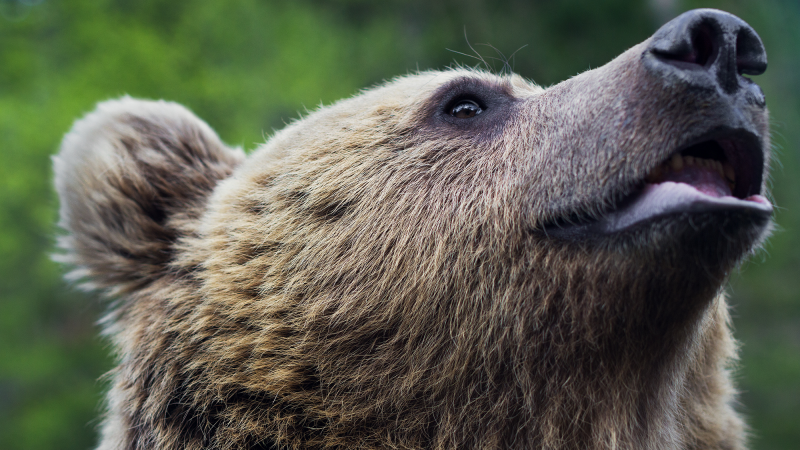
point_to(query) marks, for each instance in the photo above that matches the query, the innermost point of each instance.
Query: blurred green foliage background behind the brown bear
(247, 67)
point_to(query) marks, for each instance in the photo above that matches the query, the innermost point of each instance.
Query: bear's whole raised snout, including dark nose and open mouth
(680, 93)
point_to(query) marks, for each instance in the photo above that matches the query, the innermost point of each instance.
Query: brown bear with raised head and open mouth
(454, 259)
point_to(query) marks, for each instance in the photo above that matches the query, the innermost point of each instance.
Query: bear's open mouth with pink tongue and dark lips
(720, 172)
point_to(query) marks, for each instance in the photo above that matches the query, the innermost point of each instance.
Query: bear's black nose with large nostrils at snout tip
(708, 46)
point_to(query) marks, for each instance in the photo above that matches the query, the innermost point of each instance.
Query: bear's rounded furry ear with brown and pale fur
(133, 176)
